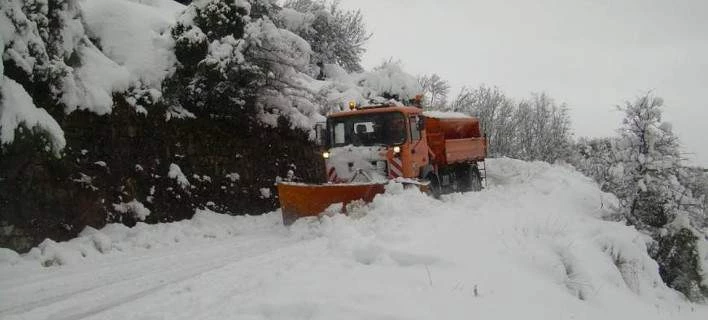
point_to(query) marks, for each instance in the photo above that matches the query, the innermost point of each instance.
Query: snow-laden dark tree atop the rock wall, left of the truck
(237, 62)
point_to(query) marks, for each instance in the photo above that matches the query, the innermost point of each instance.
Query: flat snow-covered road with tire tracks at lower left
(76, 292)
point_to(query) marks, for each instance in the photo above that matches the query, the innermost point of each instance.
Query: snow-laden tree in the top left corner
(33, 59)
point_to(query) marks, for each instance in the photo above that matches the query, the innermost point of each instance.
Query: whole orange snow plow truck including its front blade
(367, 147)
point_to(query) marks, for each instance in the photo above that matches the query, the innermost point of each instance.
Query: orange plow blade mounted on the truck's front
(299, 200)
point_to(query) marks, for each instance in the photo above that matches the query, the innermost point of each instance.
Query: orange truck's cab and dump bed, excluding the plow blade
(390, 142)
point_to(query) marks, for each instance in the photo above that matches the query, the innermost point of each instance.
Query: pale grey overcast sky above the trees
(592, 55)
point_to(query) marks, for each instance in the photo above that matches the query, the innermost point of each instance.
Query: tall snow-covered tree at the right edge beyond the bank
(646, 179)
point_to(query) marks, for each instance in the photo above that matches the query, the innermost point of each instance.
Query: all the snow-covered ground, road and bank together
(530, 246)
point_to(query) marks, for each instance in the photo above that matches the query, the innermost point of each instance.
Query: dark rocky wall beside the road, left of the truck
(113, 160)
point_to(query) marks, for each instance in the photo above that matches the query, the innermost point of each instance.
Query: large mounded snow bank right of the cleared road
(533, 239)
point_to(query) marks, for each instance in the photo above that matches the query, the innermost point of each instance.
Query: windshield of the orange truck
(367, 129)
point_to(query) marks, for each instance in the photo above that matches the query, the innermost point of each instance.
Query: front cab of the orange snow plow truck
(380, 143)
